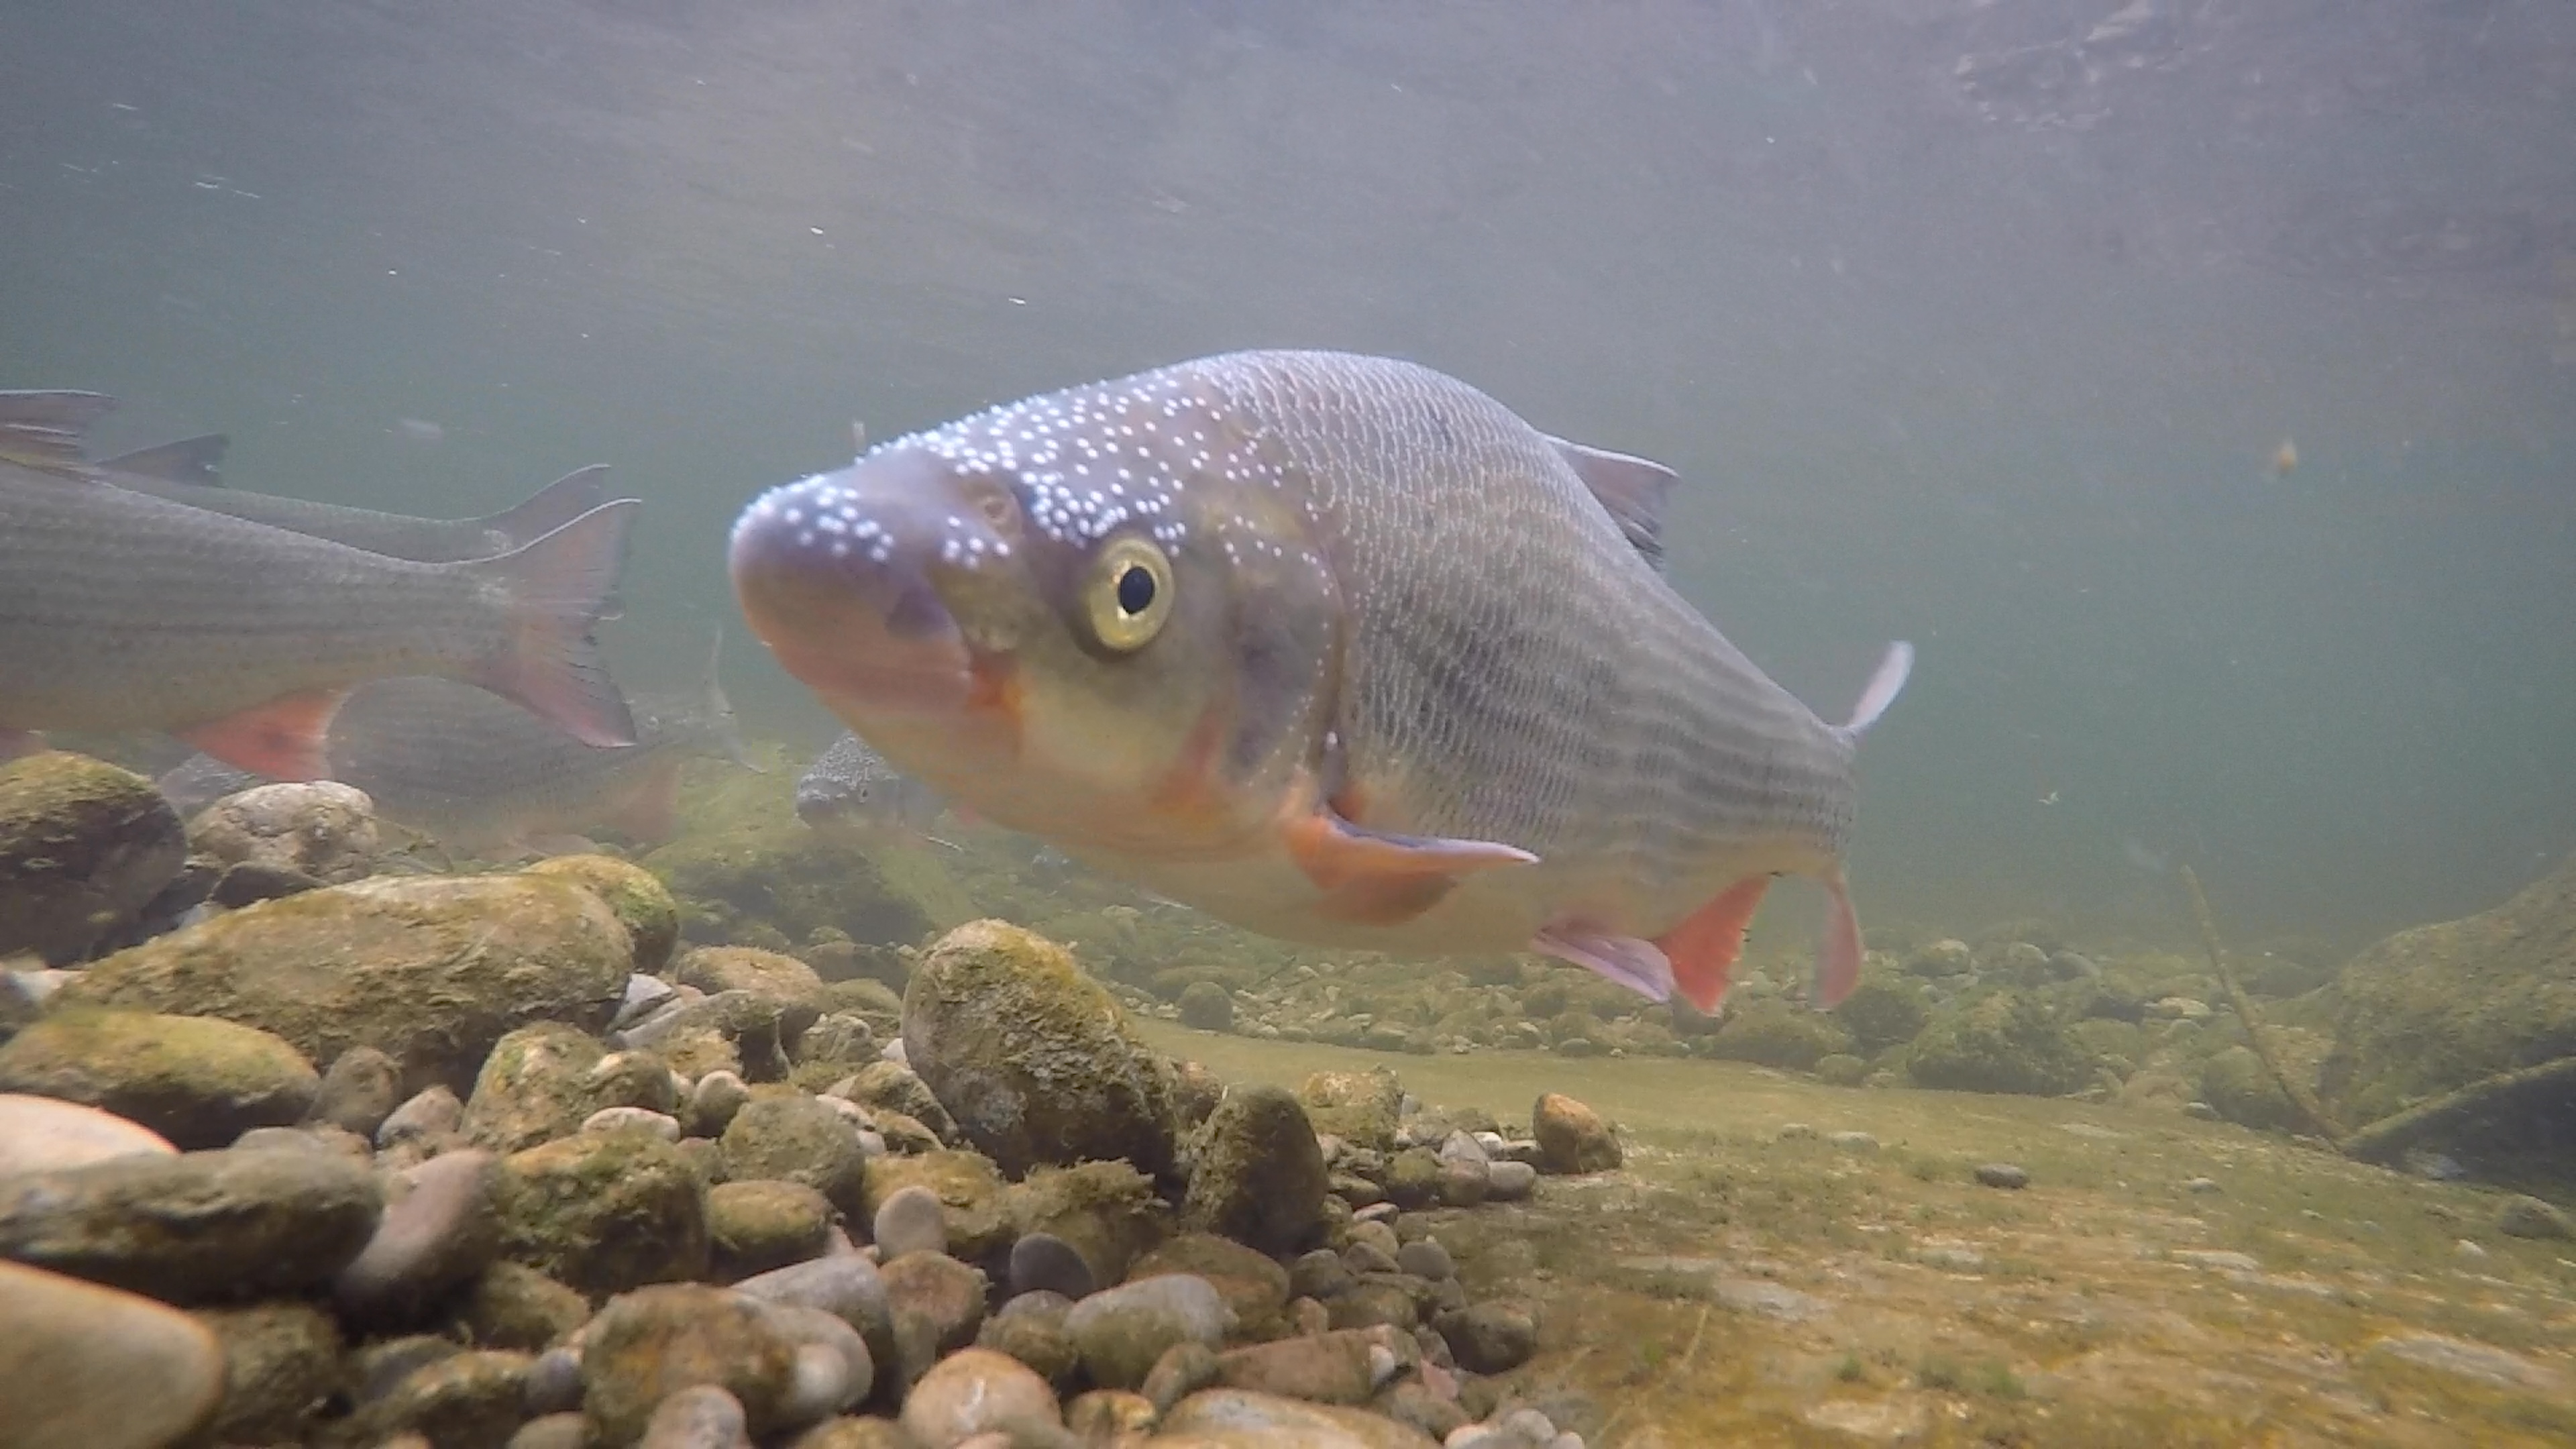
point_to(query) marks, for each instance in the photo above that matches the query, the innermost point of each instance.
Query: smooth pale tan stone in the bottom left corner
(112, 1370)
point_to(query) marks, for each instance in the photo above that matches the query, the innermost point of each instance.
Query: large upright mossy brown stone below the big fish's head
(1032, 1058)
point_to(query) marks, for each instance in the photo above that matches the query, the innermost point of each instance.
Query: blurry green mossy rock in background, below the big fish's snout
(777, 873)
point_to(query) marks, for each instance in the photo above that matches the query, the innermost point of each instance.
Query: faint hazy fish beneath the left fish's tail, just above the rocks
(491, 780)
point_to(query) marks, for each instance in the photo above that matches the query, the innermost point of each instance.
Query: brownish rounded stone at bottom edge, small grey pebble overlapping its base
(658, 1342)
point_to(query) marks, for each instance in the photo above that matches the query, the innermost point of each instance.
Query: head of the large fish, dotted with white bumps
(1101, 618)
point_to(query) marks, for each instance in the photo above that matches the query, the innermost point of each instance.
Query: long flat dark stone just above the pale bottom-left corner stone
(194, 1229)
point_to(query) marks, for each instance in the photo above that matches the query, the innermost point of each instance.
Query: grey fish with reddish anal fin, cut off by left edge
(133, 612)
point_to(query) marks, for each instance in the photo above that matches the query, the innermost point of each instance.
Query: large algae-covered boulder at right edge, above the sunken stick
(2443, 1007)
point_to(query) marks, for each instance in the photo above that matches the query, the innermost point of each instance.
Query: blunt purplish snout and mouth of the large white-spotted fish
(846, 605)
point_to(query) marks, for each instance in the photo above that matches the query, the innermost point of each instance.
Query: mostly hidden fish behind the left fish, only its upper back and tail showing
(189, 473)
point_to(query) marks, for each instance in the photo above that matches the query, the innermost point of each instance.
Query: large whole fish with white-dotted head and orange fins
(1333, 648)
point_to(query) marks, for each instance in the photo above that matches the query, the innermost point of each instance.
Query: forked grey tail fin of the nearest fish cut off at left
(560, 589)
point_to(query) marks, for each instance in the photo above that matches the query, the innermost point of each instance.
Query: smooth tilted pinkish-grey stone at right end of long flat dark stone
(439, 1231)
